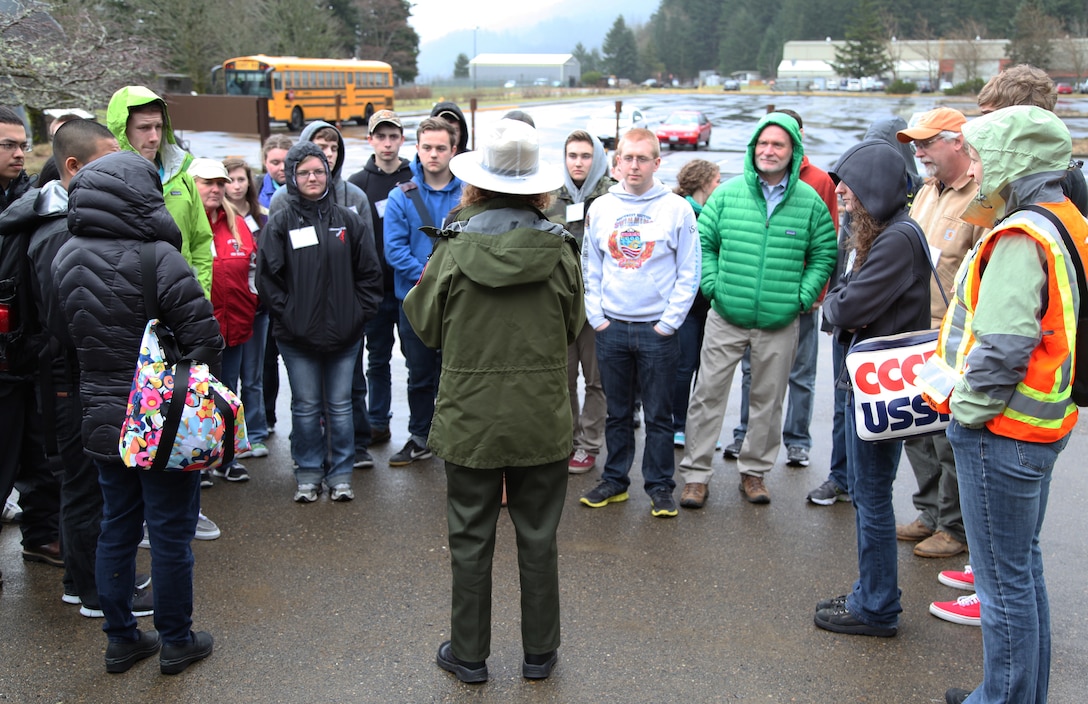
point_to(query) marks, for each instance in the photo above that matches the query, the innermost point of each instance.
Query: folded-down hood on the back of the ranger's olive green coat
(527, 253)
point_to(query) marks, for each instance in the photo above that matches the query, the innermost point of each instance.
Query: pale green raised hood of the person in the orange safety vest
(1024, 152)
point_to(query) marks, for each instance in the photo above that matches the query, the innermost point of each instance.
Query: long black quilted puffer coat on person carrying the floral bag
(116, 206)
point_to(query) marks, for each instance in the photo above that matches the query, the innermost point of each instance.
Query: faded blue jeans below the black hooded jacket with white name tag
(322, 387)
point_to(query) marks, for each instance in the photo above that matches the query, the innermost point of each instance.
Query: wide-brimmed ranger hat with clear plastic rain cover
(509, 163)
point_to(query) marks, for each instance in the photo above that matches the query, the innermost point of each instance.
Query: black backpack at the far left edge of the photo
(20, 328)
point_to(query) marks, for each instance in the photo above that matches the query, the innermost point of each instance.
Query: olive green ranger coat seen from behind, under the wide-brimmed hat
(502, 297)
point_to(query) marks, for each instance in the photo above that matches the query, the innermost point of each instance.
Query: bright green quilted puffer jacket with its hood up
(760, 273)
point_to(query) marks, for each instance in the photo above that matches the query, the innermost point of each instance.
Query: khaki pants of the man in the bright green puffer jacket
(724, 344)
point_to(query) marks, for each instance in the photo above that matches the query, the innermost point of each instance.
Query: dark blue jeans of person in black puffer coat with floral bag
(170, 503)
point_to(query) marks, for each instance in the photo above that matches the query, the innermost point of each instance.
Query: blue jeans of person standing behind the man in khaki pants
(799, 414)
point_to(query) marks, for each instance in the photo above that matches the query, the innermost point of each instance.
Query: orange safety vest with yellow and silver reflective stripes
(1041, 410)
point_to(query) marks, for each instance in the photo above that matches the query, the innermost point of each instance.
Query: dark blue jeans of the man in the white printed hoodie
(634, 356)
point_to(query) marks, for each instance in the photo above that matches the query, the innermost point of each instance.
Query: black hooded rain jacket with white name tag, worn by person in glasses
(319, 295)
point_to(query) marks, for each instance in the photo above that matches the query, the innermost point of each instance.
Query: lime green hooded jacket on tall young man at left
(179, 191)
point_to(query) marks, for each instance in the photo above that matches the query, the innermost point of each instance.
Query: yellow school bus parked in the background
(304, 90)
